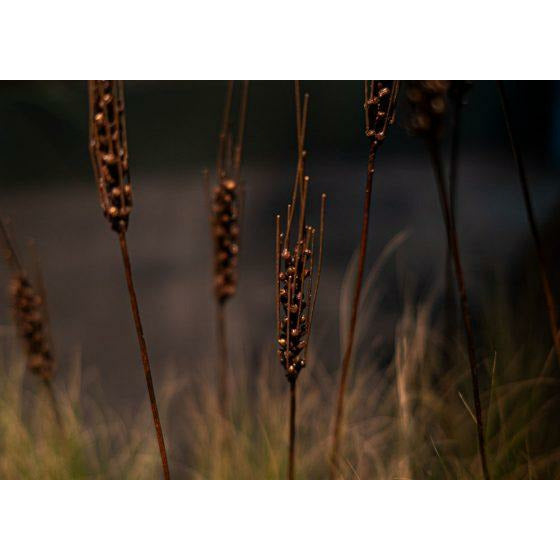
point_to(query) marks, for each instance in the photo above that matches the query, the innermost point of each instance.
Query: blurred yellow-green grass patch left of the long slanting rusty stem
(32, 446)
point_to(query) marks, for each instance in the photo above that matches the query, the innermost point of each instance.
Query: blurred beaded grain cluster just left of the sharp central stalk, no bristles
(225, 229)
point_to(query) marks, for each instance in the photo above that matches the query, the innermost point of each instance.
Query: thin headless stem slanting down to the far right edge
(514, 144)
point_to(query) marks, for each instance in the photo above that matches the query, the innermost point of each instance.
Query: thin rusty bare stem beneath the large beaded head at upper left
(143, 352)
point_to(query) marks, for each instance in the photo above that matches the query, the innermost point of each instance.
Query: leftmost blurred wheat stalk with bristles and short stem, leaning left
(31, 319)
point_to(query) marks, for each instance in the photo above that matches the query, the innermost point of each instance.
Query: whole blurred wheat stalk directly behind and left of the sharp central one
(225, 209)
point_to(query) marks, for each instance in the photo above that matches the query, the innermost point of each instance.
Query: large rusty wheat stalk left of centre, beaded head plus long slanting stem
(109, 154)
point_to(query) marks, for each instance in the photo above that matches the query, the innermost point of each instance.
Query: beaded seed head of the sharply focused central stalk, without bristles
(293, 328)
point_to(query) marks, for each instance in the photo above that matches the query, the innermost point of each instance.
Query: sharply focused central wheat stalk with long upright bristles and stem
(297, 278)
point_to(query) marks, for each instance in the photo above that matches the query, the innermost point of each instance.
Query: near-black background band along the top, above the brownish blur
(172, 125)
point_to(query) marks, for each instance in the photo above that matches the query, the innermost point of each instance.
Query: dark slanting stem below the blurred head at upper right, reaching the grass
(454, 249)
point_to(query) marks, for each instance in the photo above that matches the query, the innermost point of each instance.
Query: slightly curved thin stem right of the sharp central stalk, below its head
(353, 320)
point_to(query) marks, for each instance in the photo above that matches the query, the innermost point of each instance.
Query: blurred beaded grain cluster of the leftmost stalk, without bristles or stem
(31, 324)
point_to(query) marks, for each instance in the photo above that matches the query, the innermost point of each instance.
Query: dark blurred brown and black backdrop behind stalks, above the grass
(48, 192)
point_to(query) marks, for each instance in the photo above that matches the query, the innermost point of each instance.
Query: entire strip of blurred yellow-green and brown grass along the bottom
(408, 417)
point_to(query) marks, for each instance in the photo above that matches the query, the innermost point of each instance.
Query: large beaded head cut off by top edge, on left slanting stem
(111, 153)
